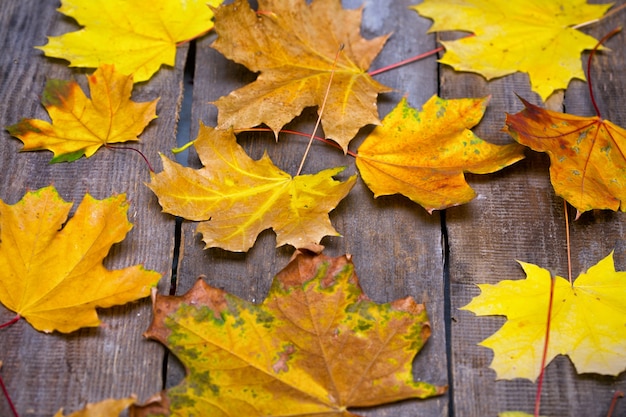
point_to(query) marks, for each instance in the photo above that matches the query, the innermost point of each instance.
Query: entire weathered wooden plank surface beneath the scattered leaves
(398, 248)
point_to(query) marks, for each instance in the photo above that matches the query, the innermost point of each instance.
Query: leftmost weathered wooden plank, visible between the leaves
(46, 372)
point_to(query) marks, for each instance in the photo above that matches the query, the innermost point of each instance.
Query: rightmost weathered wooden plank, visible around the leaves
(517, 216)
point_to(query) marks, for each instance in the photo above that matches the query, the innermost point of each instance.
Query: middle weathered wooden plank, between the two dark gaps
(396, 245)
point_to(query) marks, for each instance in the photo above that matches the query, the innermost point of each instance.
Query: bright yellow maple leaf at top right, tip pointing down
(538, 38)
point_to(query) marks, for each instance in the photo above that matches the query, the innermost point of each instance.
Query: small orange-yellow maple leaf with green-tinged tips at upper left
(80, 126)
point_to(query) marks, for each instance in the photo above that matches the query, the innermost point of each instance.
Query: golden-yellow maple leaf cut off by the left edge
(54, 277)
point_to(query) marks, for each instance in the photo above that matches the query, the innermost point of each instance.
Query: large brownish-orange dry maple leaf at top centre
(294, 46)
